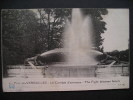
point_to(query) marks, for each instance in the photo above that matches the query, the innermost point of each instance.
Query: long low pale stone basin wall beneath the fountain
(56, 71)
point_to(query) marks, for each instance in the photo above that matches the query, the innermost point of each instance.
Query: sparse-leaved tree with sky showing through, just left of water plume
(53, 20)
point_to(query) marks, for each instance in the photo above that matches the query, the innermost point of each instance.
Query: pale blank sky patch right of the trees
(117, 35)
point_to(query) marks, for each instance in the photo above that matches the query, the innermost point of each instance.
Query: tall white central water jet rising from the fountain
(77, 40)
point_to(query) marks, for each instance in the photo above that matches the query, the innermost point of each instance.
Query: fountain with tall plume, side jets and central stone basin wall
(77, 58)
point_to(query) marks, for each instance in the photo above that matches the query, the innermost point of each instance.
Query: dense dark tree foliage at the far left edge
(18, 35)
